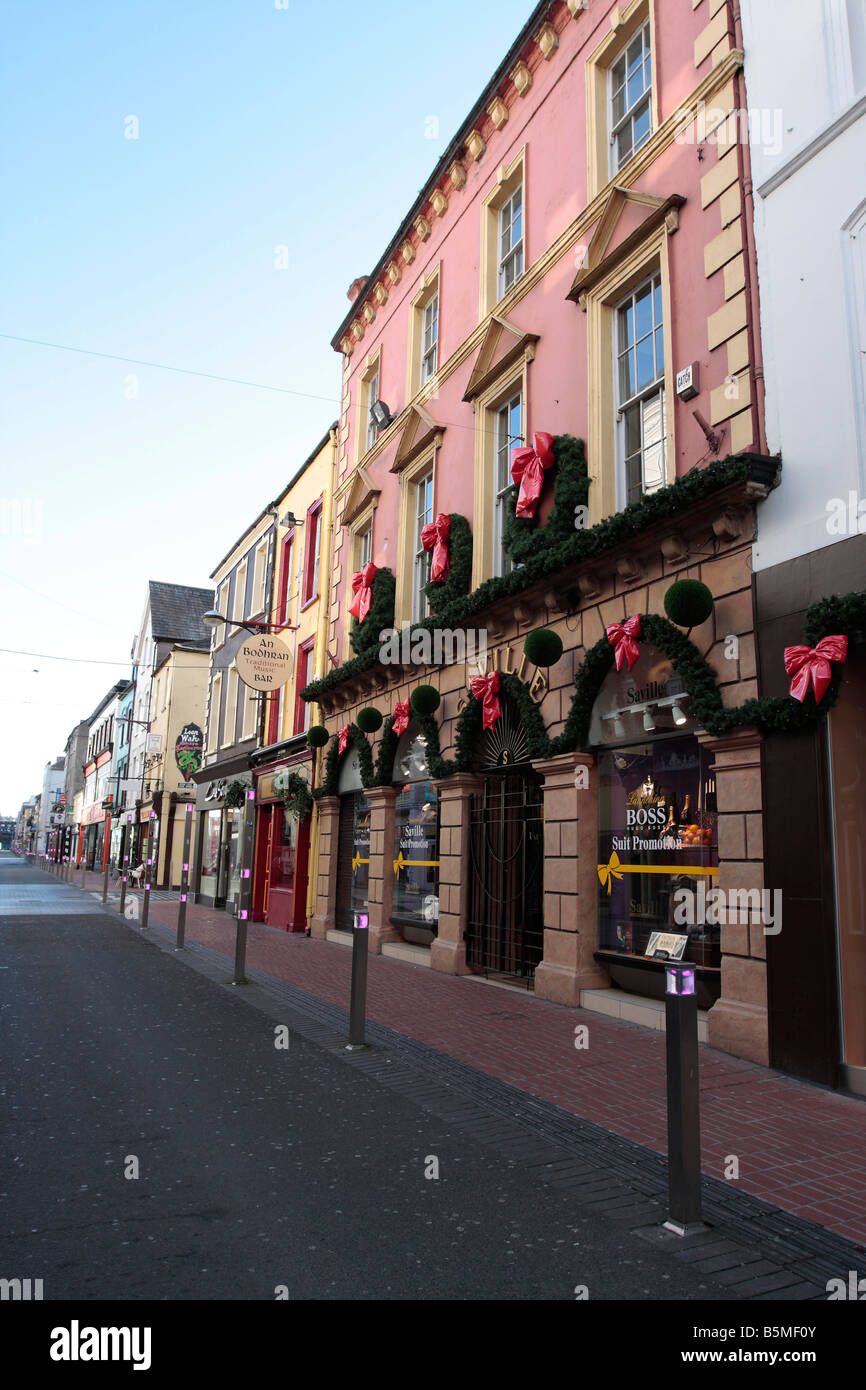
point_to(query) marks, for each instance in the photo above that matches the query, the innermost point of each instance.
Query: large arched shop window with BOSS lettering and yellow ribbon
(658, 858)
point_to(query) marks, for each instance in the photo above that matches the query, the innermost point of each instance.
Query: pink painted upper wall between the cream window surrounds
(551, 123)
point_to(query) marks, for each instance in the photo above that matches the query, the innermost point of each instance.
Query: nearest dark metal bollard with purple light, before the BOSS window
(683, 1102)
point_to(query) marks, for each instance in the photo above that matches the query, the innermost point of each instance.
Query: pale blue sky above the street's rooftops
(191, 184)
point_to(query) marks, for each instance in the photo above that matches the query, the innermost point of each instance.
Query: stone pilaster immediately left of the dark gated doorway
(448, 951)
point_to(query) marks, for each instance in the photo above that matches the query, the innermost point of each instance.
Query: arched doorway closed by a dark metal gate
(505, 928)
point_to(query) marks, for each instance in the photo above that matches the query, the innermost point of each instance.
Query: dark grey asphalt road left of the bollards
(258, 1167)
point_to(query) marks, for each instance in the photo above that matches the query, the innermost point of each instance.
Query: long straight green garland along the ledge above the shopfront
(564, 551)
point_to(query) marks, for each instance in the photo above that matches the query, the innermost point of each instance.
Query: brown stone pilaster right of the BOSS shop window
(739, 1021)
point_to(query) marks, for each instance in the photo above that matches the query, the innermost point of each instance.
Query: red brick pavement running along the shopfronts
(800, 1147)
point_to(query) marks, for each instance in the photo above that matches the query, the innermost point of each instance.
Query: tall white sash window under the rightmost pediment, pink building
(643, 398)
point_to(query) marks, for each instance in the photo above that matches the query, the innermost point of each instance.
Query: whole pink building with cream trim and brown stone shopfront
(578, 276)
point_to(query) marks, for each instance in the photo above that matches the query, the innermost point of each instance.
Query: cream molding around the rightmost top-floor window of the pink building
(628, 22)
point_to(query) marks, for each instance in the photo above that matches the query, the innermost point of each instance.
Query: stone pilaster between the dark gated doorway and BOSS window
(571, 911)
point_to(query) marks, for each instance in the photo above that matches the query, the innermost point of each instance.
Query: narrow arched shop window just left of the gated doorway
(415, 907)
